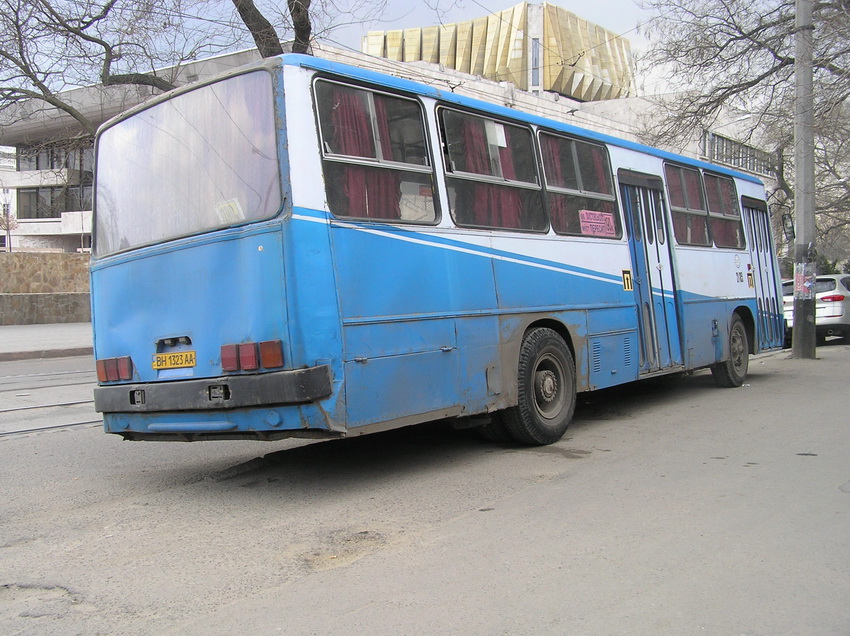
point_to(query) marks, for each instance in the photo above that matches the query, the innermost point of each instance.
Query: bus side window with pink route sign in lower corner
(579, 188)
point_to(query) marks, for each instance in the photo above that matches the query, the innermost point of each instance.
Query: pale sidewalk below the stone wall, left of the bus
(60, 340)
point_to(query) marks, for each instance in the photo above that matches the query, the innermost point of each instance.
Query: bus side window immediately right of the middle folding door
(687, 205)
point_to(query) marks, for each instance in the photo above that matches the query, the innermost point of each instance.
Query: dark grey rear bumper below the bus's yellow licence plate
(298, 386)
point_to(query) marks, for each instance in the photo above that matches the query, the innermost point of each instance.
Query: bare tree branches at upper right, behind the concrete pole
(739, 54)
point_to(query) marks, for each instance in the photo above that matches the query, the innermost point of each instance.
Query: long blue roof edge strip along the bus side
(391, 81)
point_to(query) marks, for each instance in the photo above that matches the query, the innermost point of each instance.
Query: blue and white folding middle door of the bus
(652, 276)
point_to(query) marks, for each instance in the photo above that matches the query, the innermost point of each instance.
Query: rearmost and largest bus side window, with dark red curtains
(375, 155)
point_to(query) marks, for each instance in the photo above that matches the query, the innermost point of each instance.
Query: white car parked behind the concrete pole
(832, 306)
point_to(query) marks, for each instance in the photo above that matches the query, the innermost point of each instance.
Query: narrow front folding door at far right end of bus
(763, 275)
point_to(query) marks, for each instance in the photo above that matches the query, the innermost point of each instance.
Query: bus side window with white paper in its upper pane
(491, 173)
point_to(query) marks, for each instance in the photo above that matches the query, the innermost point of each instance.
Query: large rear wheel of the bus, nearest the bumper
(546, 386)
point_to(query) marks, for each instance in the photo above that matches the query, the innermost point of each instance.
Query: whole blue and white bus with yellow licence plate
(304, 248)
